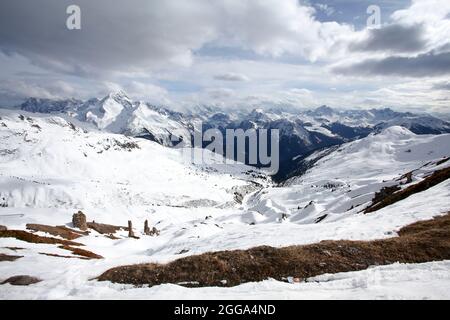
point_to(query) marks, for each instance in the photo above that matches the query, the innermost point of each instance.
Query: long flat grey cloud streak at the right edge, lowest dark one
(424, 65)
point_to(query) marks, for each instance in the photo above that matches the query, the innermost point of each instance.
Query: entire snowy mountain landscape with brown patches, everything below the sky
(361, 210)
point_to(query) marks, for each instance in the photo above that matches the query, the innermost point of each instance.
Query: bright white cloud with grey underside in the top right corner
(414, 43)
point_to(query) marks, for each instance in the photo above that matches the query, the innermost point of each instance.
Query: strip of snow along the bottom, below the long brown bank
(392, 282)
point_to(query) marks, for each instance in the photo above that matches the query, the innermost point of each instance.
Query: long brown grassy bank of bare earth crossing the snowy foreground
(417, 243)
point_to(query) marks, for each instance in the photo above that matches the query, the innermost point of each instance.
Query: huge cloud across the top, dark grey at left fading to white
(143, 35)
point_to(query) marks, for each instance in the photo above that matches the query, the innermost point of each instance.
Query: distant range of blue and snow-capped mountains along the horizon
(302, 132)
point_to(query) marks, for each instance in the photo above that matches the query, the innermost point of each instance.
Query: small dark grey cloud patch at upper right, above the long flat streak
(393, 38)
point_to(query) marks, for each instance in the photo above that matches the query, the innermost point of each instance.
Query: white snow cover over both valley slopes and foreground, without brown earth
(54, 165)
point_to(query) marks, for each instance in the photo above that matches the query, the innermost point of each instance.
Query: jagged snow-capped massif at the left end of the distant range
(117, 113)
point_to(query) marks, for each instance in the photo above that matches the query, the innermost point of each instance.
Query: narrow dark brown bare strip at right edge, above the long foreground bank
(392, 197)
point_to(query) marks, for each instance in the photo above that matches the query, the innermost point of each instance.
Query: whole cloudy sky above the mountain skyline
(237, 53)
